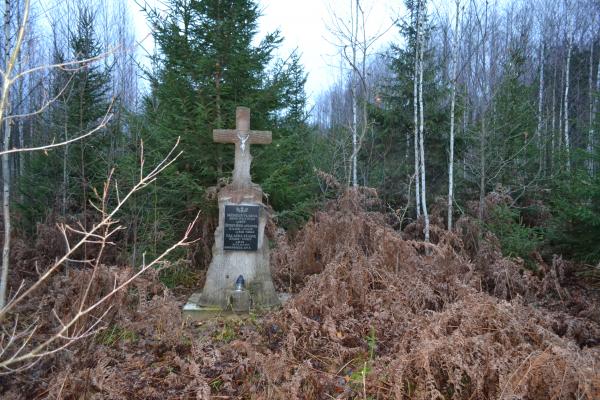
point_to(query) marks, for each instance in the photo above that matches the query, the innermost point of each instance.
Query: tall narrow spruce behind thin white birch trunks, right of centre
(396, 116)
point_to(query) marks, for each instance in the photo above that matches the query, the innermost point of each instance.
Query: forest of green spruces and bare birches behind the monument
(483, 97)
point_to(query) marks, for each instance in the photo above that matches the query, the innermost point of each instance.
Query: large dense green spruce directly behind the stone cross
(207, 65)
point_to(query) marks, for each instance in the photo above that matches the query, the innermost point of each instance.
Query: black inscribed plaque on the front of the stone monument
(241, 228)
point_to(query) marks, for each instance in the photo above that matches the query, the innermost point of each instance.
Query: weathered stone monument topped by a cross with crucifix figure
(238, 277)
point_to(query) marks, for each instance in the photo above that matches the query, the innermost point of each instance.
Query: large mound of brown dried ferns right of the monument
(397, 318)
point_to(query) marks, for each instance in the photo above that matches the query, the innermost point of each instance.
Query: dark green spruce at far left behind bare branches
(62, 179)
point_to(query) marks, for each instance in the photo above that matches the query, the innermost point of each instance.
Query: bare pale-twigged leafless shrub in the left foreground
(76, 316)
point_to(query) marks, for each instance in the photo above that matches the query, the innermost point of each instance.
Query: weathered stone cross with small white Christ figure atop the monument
(242, 137)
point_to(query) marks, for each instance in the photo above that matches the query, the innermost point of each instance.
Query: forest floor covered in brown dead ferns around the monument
(375, 314)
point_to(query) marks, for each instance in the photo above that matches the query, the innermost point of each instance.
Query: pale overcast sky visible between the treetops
(303, 25)
